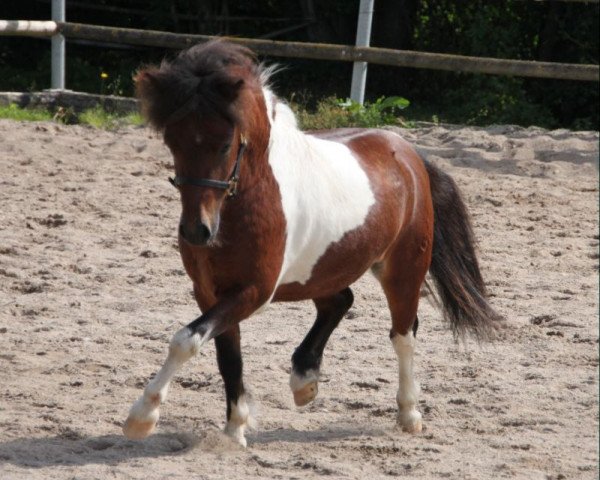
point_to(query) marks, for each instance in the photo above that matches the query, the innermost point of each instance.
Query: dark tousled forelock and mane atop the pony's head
(205, 79)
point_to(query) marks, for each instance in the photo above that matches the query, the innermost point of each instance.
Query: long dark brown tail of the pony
(454, 266)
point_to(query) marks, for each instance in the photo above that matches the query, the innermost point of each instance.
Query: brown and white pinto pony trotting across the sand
(270, 214)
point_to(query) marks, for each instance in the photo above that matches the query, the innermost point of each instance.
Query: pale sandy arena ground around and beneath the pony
(92, 289)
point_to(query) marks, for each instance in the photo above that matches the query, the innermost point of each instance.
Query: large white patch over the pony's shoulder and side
(324, 193)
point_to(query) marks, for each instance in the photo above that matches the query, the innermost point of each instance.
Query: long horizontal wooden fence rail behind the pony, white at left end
(381, 56)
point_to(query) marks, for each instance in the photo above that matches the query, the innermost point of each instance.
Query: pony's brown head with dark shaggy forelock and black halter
(208, 104)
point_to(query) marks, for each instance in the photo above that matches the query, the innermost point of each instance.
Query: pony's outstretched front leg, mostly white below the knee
(224, 315)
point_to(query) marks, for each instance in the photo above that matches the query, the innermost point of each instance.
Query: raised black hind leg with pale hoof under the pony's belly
(306, 360)
